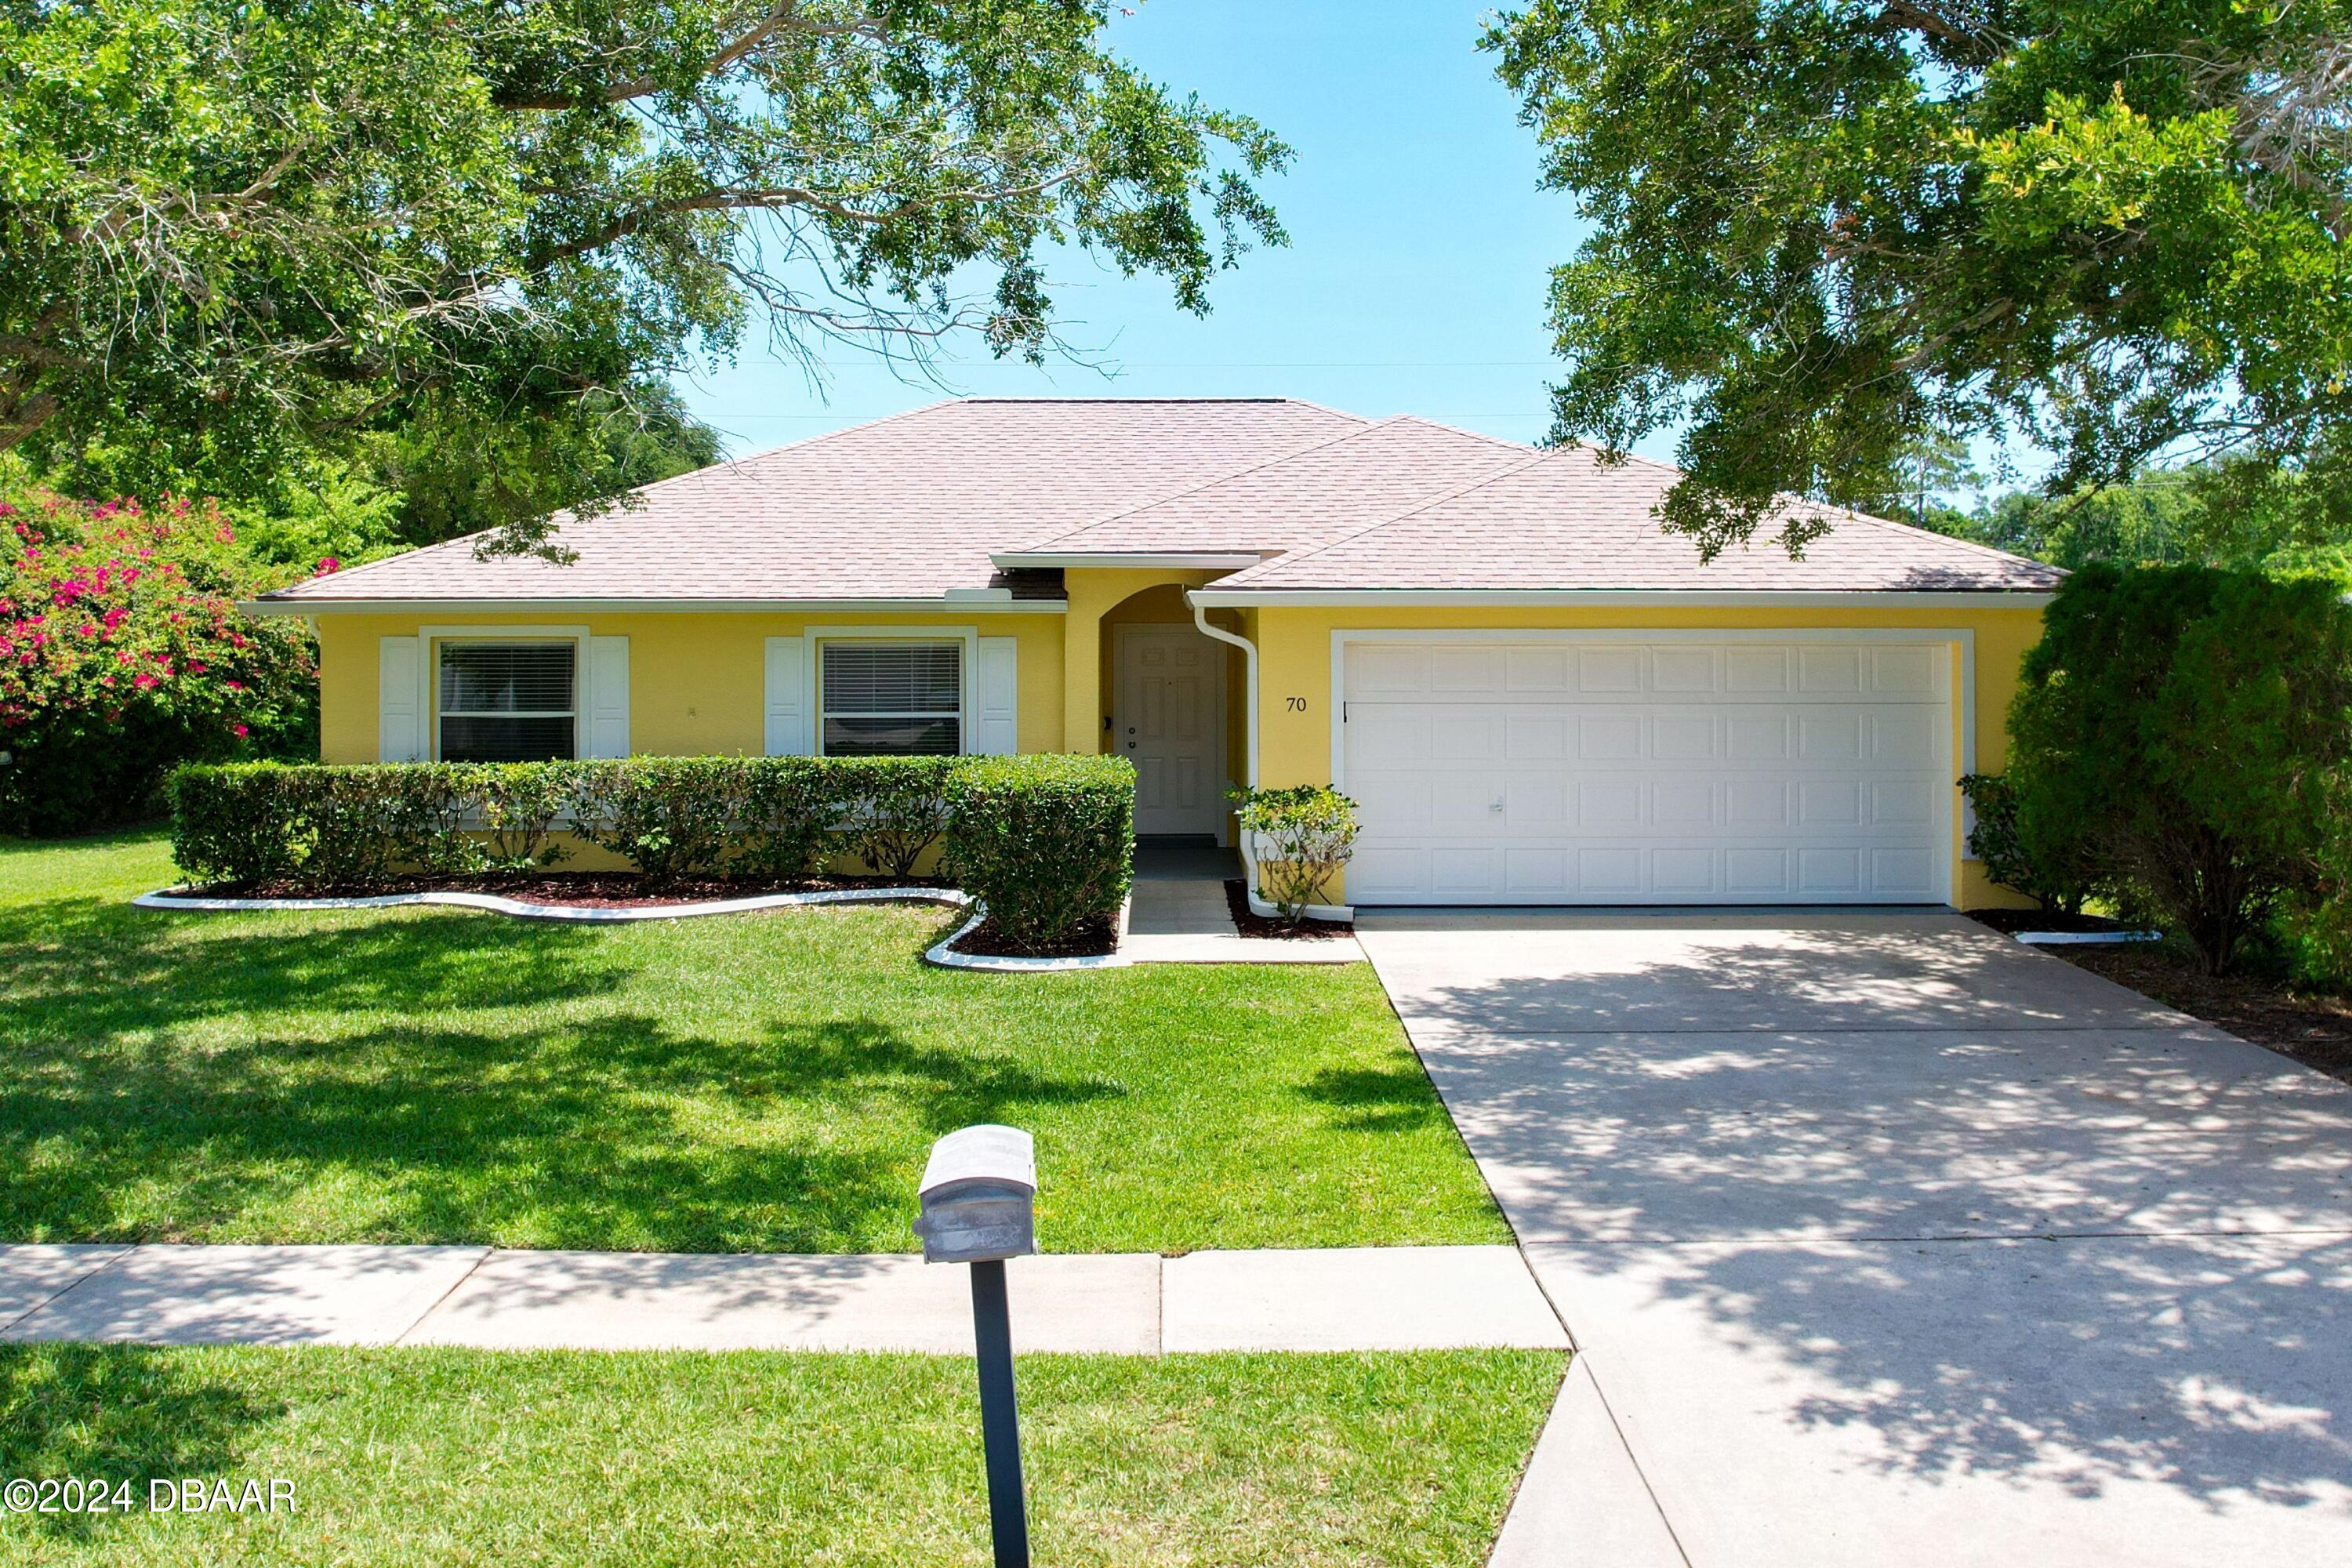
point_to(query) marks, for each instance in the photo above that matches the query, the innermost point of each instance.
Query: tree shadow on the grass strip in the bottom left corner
(116, 1412)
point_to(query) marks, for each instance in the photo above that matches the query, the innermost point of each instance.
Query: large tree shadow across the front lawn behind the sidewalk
(615, 1132)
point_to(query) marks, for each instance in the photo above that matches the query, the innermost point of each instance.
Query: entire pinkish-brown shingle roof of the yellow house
(916, 507)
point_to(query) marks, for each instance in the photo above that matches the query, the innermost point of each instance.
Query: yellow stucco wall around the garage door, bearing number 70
(1295, 662)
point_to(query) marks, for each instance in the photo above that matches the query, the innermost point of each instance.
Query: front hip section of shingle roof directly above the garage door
(1565, 521)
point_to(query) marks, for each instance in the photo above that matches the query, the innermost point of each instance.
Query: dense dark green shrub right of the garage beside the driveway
(2189, 730)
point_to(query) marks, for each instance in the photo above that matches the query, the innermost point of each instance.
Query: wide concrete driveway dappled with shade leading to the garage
(1887, 1240)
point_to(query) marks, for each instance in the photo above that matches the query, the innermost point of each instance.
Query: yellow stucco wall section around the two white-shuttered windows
(695, 683)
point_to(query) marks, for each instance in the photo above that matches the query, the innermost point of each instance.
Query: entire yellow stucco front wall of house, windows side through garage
(697, 681)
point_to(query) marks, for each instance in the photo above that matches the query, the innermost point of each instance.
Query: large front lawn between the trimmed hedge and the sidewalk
(761, 1083)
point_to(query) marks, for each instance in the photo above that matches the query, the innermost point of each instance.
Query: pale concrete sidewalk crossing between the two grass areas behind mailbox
(1116, 1304)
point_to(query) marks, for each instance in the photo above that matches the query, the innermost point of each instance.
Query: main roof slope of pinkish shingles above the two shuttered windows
(902, 509)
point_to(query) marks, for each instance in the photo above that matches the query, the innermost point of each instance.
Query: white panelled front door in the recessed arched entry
(1172, 725)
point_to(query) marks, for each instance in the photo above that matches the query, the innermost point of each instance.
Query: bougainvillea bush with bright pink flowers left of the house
(123, 655)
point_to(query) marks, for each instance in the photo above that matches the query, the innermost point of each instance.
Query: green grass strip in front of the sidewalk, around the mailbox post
(450, 1459)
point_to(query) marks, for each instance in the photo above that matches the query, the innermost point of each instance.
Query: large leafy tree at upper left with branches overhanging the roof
(241, 236)
